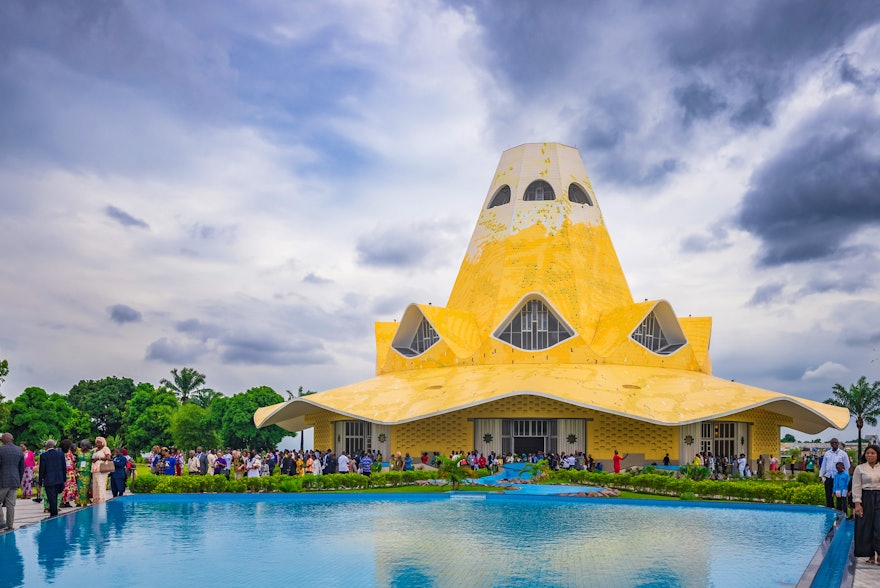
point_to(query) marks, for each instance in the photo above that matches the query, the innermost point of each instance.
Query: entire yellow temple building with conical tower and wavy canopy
(541, 347)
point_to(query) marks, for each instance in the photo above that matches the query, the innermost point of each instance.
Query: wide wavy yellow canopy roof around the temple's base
(656, 395)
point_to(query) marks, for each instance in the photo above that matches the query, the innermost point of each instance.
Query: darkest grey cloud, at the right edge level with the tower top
(805, 203)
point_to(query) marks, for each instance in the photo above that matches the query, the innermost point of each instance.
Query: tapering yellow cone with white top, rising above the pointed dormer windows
(540, 231)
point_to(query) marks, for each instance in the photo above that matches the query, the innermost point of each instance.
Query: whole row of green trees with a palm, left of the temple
(180, 411)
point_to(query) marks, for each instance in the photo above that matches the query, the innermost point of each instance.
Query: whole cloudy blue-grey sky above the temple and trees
(244, 188)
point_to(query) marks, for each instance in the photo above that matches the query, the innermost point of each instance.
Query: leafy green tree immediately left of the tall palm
(147, 418)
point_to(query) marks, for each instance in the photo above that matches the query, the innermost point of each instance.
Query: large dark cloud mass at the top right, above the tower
(637, 78)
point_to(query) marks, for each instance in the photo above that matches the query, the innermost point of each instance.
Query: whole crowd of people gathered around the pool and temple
(70, 475)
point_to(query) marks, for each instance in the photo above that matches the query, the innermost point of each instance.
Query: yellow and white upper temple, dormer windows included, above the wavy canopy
(541, 283)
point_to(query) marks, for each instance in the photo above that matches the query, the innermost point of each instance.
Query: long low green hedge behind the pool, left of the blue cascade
(150, 484)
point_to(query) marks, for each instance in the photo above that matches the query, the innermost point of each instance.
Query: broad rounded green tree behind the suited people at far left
(35, 416)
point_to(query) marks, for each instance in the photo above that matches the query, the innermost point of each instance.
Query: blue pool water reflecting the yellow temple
(414, 540)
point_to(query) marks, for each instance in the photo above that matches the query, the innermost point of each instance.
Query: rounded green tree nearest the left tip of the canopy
(239, 430)
